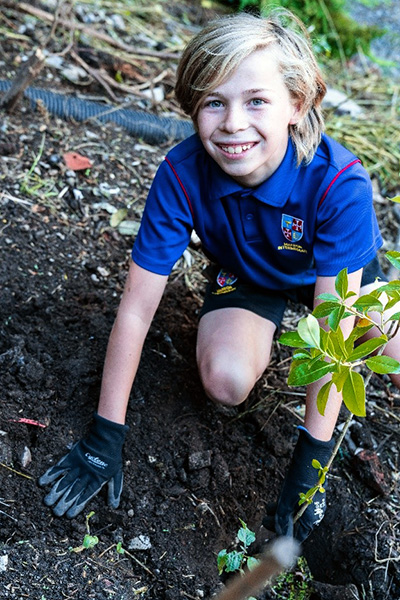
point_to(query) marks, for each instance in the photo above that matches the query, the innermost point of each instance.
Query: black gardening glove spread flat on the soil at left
(91, 463)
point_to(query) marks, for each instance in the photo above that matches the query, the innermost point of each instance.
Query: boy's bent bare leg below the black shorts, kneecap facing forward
(233, 350)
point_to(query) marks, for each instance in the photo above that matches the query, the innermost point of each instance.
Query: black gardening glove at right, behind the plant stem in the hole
(302, 476)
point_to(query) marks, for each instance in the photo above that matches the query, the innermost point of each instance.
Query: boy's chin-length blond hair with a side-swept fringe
(215, 52)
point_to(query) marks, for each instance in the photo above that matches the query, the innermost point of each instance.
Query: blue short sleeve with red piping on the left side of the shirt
(166, 224)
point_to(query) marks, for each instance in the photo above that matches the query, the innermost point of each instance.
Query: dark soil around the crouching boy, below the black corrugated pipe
(192, 470)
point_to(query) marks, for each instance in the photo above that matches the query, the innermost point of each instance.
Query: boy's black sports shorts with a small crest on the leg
(225, 291)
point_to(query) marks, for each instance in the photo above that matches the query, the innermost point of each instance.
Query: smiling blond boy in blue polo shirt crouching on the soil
(280, 209)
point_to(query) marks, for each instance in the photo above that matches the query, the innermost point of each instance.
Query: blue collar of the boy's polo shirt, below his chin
(274, 191)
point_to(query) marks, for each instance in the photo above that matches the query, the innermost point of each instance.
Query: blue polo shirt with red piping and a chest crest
(301, 222)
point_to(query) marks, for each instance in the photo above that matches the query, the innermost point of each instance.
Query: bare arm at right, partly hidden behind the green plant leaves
(321, 427)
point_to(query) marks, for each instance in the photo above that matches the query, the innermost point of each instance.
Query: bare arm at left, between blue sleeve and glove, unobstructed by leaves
(141, 297)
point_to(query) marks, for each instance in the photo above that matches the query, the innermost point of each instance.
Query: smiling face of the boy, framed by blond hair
(244, 122)
